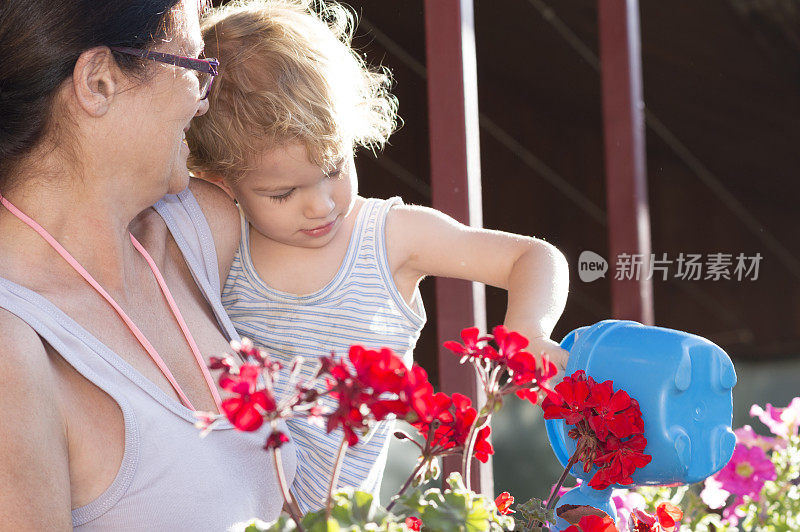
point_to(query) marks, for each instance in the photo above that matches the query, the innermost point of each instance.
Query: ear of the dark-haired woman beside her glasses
(95, 80)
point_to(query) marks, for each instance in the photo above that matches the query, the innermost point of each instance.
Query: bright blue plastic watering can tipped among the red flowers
(683, 384)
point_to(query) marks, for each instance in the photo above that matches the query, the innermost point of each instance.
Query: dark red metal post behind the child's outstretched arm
(456, 186)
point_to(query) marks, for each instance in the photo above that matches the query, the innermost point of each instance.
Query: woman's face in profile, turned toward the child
(161, 108)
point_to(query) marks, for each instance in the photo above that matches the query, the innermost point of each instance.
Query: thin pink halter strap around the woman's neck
(132, 326)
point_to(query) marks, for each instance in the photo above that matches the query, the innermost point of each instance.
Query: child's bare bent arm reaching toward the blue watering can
(424, 241)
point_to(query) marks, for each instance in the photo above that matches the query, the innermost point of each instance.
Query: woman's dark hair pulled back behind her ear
(40, 42)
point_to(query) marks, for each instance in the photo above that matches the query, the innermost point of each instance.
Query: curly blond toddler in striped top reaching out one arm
(320, 268)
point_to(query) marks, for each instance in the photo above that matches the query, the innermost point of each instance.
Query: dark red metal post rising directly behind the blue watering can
(626, 175)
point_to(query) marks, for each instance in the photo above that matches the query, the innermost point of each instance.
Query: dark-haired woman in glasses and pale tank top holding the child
(99, 379)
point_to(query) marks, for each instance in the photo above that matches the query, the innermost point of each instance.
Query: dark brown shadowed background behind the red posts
(721, 84)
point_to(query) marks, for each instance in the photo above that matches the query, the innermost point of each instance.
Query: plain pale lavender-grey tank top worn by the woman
(170, 478)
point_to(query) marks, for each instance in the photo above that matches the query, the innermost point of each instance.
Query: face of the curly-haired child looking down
(289, 200)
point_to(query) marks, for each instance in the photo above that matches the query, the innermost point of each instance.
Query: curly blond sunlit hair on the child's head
(288, 74)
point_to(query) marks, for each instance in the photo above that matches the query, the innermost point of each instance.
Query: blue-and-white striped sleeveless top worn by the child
(360, 305)
